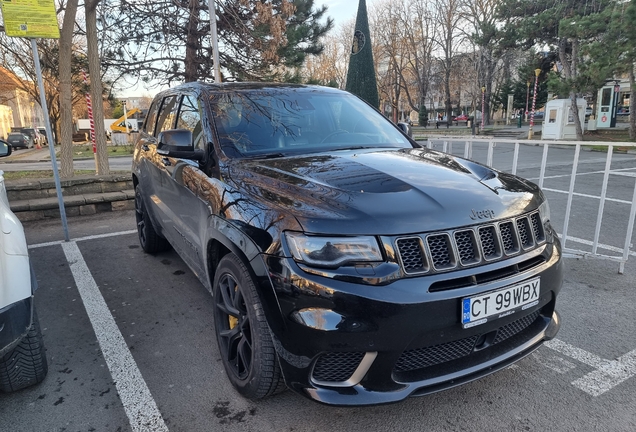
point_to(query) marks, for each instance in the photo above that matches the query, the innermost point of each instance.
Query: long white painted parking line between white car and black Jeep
(140, 407)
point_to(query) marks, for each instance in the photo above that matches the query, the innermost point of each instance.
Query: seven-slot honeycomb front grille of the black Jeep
(470, 246)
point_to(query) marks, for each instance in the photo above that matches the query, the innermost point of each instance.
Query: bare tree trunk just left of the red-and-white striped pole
(94, 68)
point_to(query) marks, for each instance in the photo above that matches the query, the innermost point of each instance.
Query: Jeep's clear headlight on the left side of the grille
(332, 251)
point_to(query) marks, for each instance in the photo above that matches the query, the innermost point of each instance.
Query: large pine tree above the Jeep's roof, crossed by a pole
(168, 42)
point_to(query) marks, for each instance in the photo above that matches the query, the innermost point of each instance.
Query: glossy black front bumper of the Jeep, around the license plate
(344, 343)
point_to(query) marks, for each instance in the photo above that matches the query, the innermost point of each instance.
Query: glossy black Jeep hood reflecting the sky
(385, 191)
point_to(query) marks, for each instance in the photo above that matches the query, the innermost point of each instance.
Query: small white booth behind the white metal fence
(558, 122)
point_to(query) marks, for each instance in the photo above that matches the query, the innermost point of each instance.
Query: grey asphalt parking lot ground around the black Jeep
(131, 346)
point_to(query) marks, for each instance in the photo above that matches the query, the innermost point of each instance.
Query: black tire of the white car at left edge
(26, 364)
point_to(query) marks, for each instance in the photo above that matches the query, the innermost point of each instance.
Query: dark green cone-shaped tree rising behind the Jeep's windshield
(361, 79)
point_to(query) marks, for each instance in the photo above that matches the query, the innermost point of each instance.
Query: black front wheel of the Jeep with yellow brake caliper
(242, 332)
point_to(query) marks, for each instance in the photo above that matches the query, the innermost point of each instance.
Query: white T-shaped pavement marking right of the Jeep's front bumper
(608, 373)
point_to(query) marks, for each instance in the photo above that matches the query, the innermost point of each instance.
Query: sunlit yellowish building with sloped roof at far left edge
(17, 107)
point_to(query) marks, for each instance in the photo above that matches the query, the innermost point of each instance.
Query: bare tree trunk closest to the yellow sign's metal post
(66, 106)
